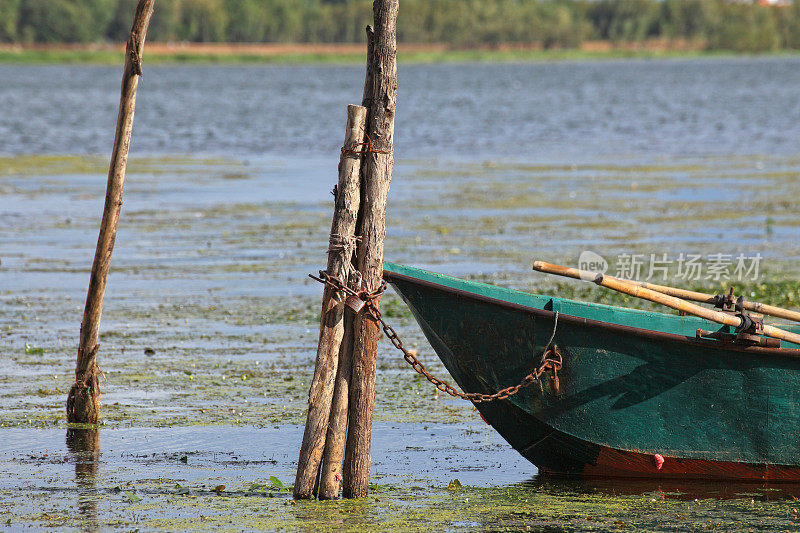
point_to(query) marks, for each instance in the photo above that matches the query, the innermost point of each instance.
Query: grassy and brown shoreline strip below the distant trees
(346, 53)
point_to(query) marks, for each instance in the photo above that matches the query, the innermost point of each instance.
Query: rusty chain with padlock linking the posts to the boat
(551, 360)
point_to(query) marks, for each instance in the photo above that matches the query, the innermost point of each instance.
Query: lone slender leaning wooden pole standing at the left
(83, 402)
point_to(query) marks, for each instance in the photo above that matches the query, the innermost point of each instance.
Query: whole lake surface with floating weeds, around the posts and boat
(227, 209)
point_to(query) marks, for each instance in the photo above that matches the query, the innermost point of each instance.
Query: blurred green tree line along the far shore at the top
(720, 24)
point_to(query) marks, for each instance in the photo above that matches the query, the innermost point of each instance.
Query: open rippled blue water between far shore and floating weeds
(550, 111)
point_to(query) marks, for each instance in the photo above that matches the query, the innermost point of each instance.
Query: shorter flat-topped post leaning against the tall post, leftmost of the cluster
(340, 254)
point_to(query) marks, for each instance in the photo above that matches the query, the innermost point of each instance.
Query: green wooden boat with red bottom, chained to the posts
(639, 394)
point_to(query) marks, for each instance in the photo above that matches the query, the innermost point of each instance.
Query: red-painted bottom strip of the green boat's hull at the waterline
(618, 463)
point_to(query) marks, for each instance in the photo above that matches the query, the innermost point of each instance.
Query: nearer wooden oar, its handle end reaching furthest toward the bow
(638, 291)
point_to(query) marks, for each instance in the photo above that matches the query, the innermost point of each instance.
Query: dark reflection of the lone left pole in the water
(84, 448)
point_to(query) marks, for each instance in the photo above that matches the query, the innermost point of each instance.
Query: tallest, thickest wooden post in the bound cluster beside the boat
(376, 179)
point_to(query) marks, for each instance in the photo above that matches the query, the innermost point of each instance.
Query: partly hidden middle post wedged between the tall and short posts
(337, 426)
